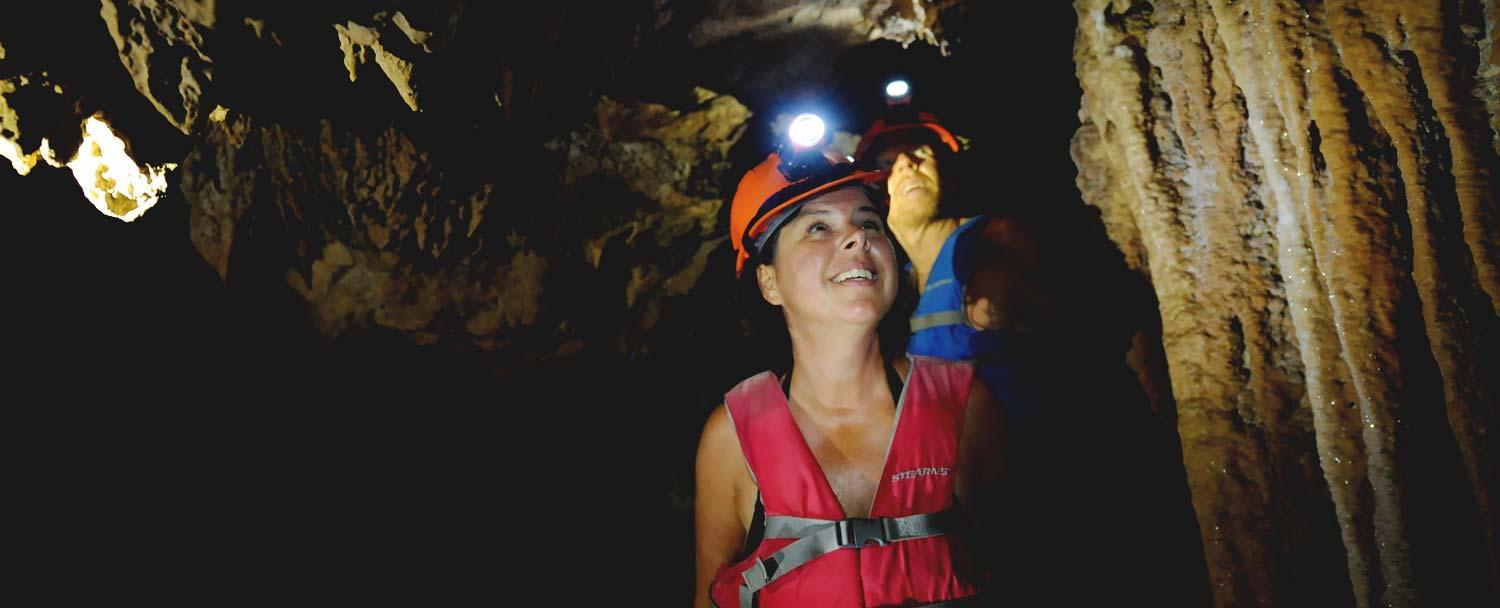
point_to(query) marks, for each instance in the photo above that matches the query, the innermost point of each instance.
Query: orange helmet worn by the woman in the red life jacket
(766, 193)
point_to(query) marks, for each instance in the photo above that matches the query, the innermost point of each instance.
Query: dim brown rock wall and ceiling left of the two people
(445, 170)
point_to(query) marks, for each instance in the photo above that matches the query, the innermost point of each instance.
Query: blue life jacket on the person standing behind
(941, 328)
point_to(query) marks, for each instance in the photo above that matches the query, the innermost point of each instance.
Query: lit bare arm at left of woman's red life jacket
(722, 480)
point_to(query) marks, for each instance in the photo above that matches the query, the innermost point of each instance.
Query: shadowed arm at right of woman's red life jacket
(982, 466)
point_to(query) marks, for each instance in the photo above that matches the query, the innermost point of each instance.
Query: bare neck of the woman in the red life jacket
(833, 373)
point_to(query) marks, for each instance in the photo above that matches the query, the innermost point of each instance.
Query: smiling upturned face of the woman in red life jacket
(833, 262)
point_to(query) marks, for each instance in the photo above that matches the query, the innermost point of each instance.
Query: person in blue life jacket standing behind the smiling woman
(982, 287)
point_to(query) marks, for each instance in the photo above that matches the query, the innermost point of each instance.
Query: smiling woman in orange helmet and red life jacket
(865, 469)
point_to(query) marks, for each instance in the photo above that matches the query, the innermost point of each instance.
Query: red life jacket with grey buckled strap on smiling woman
(815, 556)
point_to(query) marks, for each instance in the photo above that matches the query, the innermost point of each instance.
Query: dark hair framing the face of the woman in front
(770, 339)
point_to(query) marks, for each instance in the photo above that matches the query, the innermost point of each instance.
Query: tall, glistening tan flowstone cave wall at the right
(1310, 187)
